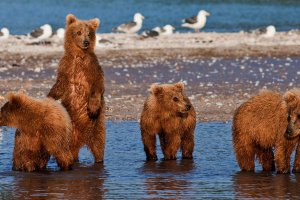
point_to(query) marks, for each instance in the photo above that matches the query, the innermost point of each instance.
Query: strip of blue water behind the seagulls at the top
(21, 16)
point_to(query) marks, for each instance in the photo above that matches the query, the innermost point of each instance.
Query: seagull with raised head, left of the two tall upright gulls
(133, 26)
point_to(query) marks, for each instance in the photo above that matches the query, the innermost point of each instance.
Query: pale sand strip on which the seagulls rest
(187, 44)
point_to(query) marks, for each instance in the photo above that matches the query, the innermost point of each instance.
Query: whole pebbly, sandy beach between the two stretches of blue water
(220, 70)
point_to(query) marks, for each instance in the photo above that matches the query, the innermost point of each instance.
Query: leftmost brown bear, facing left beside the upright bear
(43, 129)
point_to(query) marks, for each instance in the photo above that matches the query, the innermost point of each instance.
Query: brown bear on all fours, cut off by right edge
(266, 121)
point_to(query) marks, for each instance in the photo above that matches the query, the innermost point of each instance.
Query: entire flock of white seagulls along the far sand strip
(196, 23)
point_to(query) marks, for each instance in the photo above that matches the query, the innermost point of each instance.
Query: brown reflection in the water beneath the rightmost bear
(266, 185)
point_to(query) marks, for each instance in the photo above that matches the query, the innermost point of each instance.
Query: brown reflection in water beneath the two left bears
(82, 182)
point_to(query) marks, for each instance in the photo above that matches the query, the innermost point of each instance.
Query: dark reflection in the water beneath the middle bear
(167, 178)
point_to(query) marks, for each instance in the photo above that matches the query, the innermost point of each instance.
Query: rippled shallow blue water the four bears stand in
(212, 174)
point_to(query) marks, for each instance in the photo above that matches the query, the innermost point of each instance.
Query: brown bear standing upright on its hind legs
(80, 86)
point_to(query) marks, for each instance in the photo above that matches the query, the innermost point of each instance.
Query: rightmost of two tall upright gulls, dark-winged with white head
(196, 22)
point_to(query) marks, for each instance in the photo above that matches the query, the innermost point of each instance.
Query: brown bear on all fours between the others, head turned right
(169, 113)
